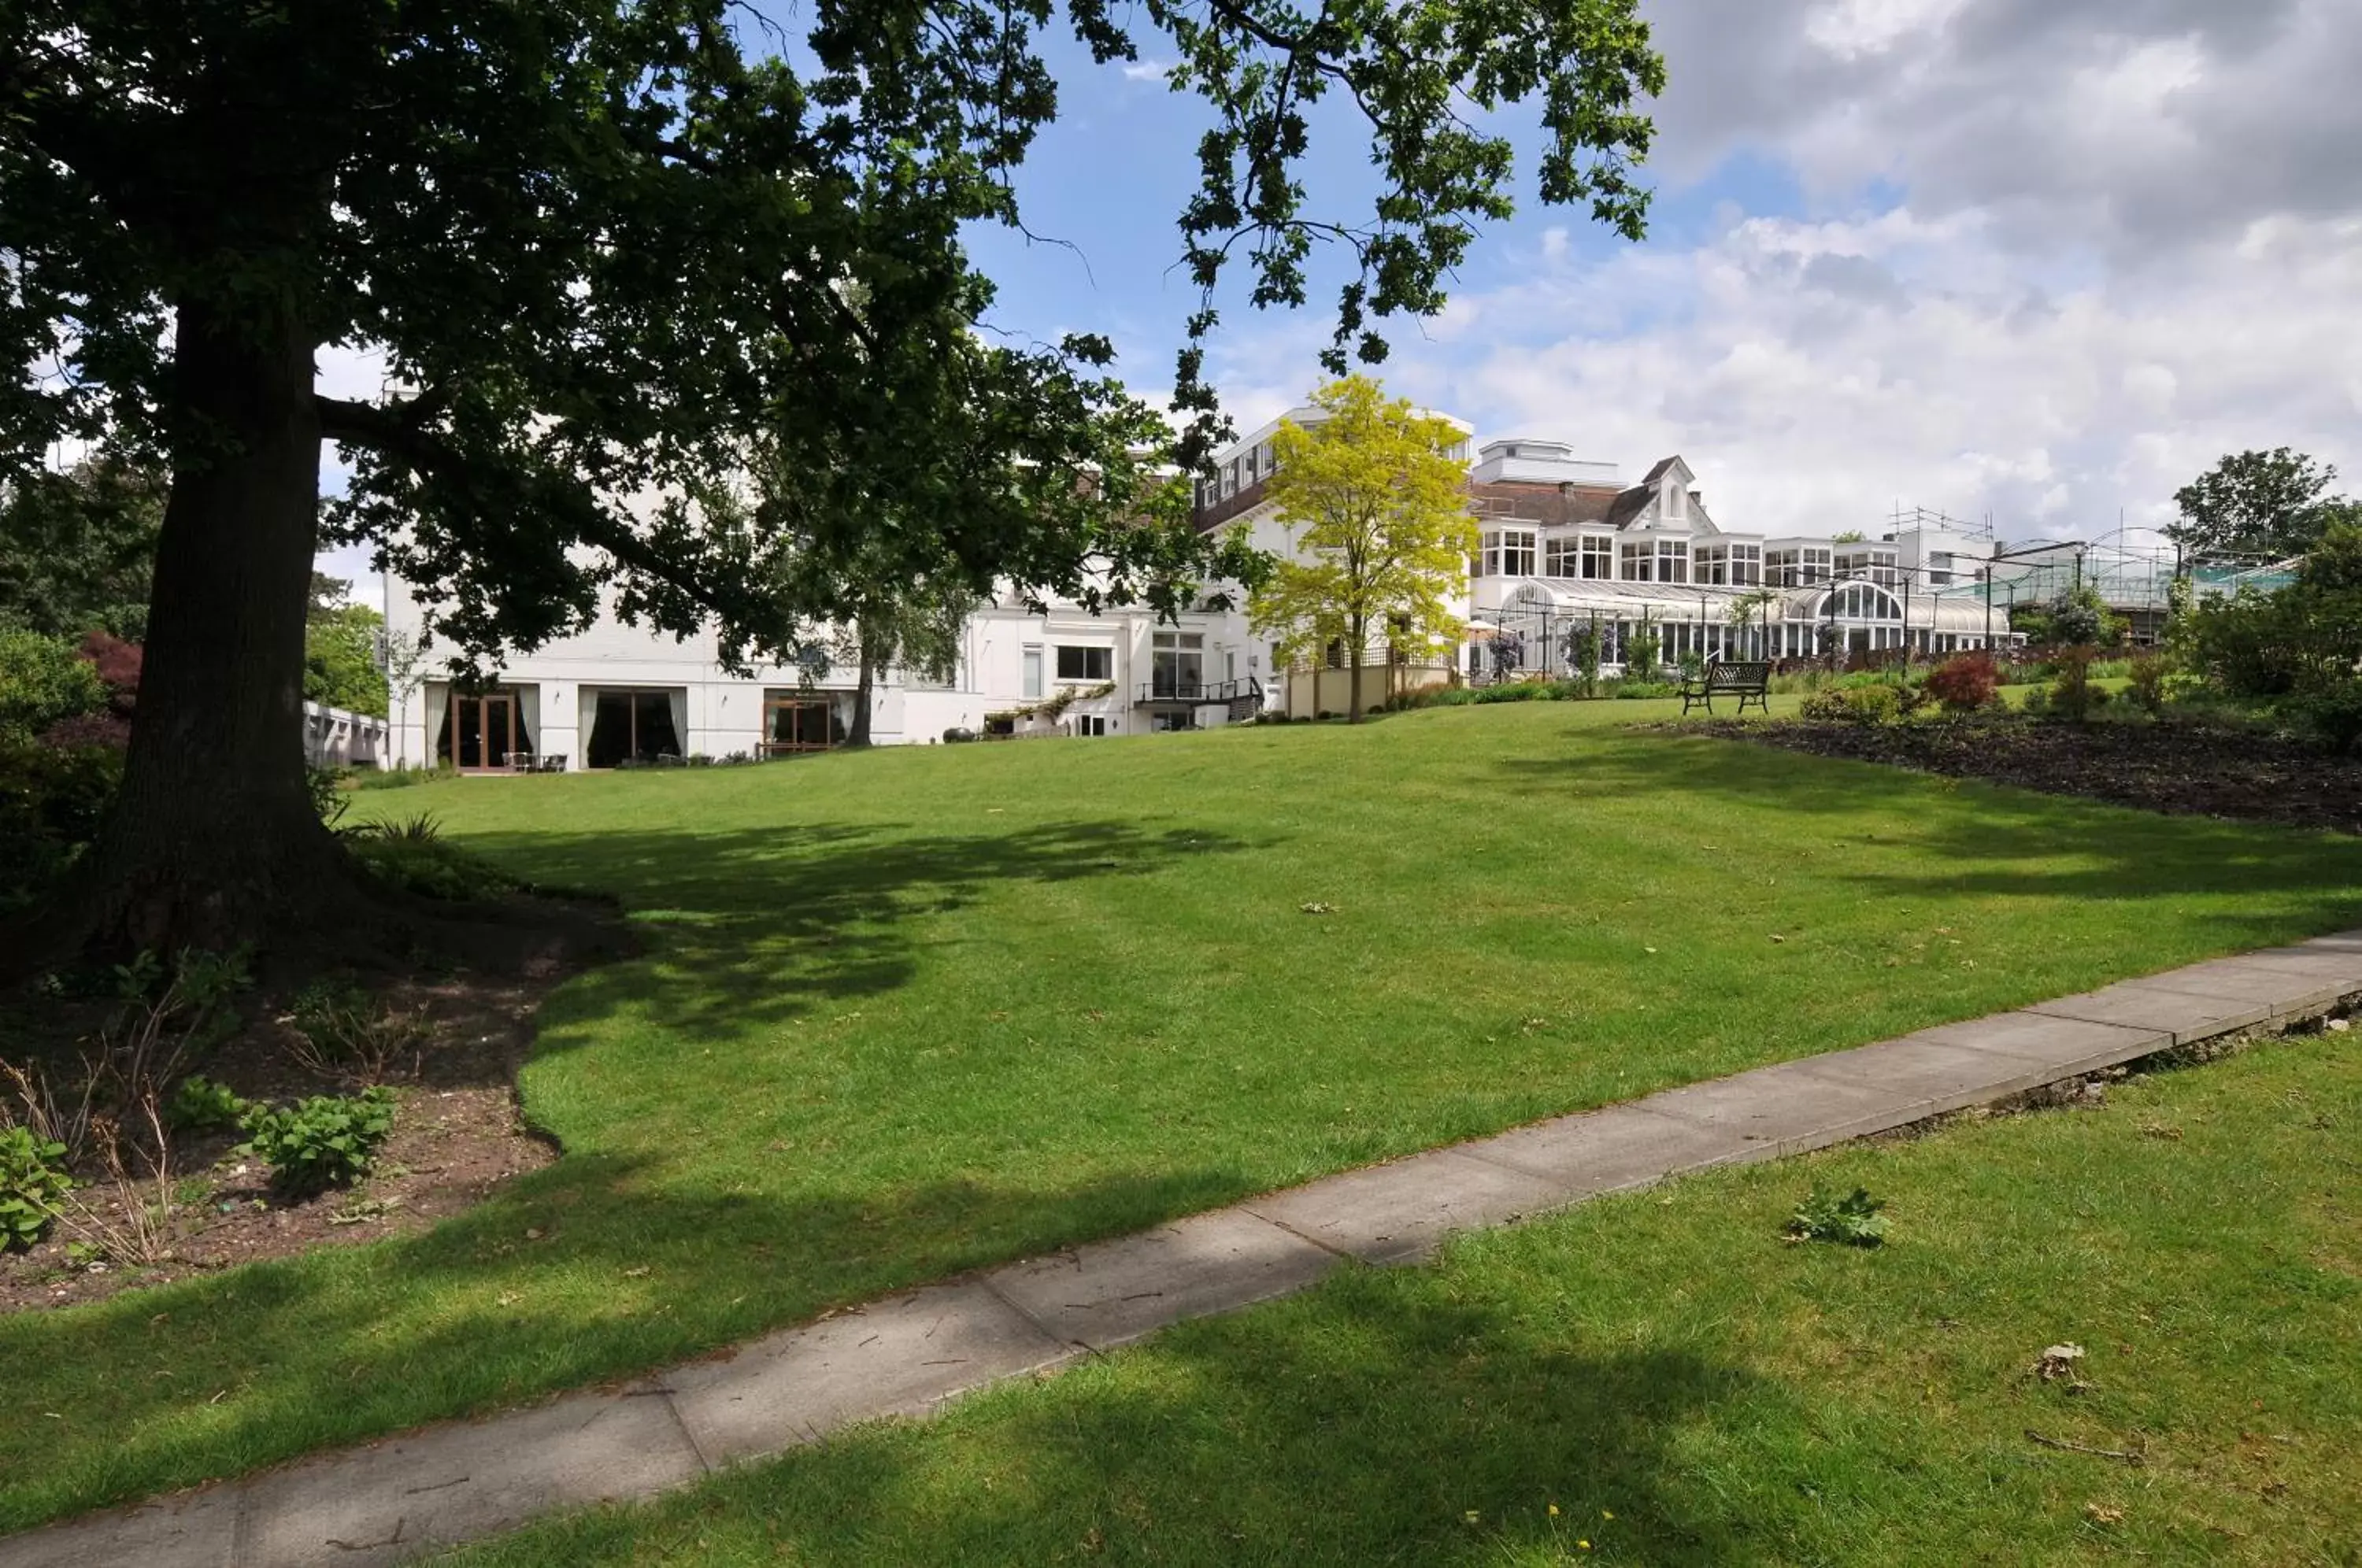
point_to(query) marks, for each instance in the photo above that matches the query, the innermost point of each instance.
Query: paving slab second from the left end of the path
(450, 1484)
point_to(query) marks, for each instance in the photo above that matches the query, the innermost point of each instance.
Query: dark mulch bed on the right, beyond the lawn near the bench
(2198, 769)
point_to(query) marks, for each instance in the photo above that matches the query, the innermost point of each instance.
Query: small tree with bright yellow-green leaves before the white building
(1381, 528)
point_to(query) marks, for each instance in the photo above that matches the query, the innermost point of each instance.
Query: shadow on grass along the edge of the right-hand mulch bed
(1981, 839)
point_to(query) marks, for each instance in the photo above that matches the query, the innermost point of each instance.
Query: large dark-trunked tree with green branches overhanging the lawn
(599, 240)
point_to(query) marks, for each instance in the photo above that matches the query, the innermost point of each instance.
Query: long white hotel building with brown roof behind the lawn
(1562, 544)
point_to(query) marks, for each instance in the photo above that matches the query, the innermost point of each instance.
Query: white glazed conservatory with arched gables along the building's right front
(1541, 625)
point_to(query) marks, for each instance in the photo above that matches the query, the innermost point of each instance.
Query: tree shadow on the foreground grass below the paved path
(1385, 1418)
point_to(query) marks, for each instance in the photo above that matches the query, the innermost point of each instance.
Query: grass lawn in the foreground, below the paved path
(1688, 1390)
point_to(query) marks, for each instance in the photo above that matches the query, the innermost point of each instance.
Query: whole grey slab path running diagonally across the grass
(908, 1354)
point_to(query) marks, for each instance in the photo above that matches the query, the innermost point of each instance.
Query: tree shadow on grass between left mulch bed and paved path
(585, 1272)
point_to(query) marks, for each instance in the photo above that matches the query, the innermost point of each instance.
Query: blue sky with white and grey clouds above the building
(2030, 261)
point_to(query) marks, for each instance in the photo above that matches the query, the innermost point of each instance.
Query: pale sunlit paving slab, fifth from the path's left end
(1402, 1210)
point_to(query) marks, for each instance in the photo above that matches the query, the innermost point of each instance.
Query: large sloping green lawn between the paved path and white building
(925, 1010)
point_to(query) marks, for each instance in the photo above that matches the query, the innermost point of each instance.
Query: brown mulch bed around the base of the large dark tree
(457, 1137)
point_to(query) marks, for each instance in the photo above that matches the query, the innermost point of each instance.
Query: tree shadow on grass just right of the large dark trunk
(769, 925)
